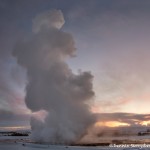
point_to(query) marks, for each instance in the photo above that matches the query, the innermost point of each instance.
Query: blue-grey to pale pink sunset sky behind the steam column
(112, 42)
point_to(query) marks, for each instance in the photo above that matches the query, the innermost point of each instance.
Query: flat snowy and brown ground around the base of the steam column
(22, 140)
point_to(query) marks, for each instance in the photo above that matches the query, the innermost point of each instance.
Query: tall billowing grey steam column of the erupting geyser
(52, 86)
